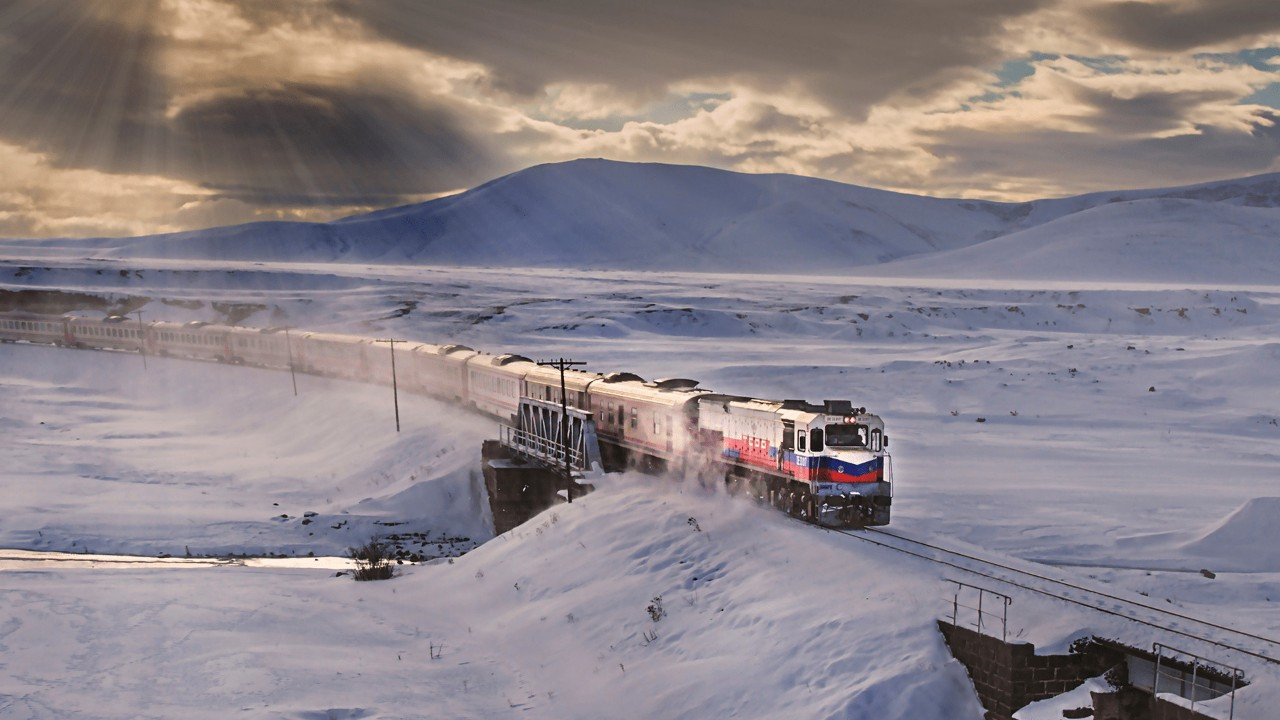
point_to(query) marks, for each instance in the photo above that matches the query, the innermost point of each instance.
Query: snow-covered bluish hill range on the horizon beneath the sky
(655, 217)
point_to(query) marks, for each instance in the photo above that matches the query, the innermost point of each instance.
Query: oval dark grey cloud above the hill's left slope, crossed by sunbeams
(308, 145)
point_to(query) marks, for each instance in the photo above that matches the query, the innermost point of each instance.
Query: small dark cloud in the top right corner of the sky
(1186, 25)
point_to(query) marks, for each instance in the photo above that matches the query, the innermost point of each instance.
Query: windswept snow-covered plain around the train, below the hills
(1124, 435)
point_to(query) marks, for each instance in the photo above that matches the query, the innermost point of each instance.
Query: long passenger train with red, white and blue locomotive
(826, 463)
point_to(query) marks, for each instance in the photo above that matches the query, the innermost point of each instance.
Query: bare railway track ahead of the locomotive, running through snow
(1127, 608)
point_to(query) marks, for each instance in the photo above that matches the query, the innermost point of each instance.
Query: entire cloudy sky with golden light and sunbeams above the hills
(127, 117)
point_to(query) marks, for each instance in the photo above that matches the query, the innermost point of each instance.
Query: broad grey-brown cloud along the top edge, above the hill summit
(853, 54)
